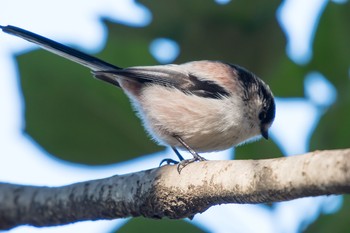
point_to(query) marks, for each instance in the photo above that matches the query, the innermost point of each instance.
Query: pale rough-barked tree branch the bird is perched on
(162, 192)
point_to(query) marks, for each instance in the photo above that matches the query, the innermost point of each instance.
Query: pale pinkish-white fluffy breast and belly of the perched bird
(205, 124)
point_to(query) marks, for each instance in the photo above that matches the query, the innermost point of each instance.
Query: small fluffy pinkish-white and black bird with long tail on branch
(199, 106)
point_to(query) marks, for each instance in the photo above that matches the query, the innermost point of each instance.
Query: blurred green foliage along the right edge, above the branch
(332, 58)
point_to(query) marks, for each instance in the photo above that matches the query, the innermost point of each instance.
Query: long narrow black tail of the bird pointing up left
(84, 59)
